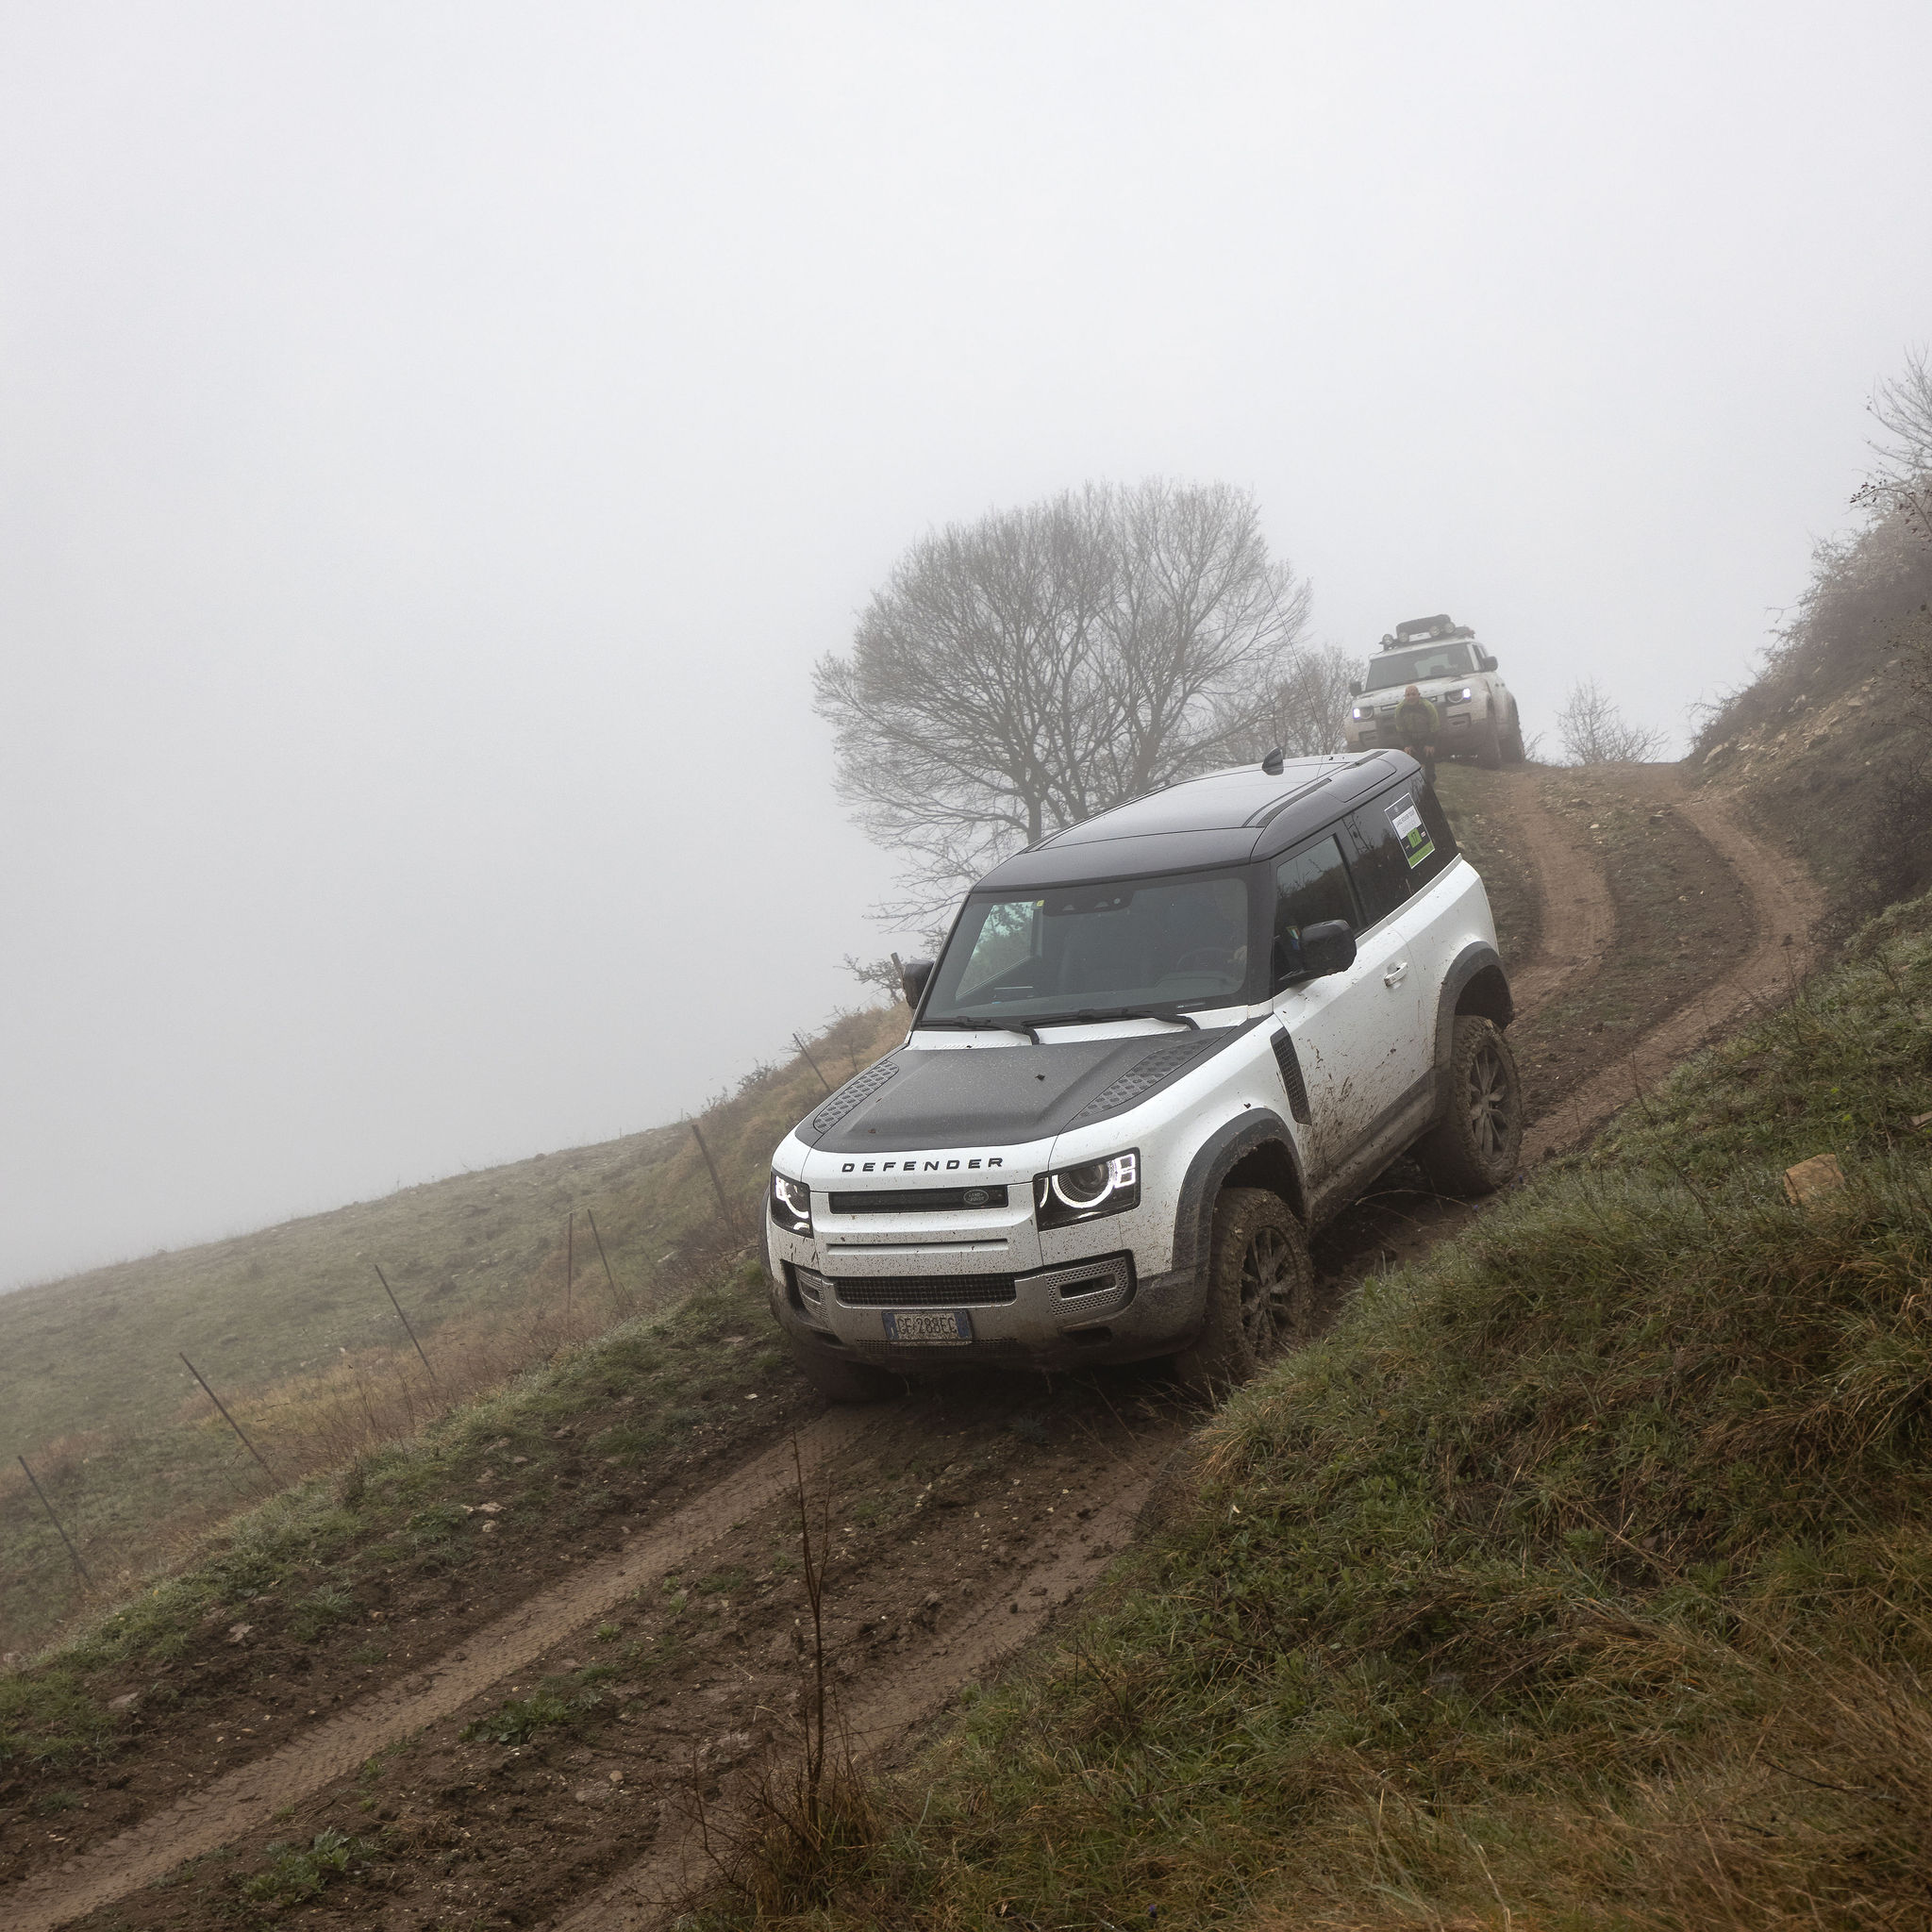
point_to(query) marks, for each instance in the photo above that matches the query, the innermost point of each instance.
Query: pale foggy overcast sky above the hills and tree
(436, 443)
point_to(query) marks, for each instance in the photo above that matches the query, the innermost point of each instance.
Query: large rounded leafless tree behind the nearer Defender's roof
(1037, 668)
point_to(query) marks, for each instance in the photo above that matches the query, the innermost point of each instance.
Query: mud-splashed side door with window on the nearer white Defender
(1355, 1058)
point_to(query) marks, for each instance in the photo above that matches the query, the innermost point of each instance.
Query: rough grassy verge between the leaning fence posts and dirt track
(399, 1527)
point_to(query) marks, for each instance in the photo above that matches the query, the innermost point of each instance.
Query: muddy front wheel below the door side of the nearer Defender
(1261, 1292)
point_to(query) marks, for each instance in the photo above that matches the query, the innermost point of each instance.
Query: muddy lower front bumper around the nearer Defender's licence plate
(1064, 1317)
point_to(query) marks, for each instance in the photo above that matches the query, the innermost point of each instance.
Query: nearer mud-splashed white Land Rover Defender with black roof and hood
(1158, 1050)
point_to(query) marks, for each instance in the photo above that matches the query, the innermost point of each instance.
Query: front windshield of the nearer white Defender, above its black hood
(1062, 952)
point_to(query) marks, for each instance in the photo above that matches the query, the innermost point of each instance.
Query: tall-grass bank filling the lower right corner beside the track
(1581, 1577)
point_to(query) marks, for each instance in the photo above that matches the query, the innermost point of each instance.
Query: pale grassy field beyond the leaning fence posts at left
(295, 1330)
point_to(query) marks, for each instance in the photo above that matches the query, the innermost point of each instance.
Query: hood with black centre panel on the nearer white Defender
(1000, 1096)
